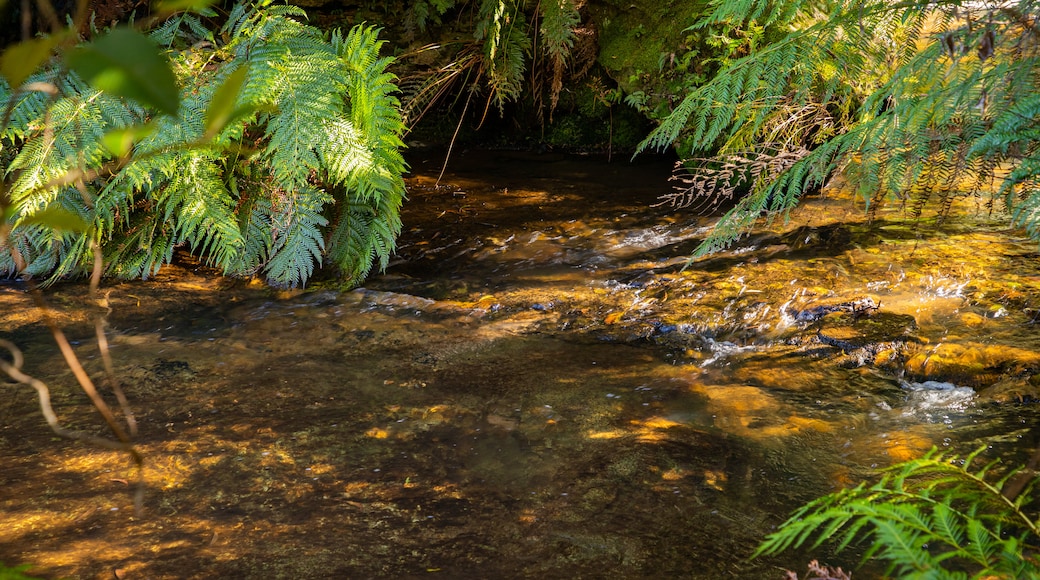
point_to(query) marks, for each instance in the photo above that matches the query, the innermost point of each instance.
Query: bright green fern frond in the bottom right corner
(930, 518)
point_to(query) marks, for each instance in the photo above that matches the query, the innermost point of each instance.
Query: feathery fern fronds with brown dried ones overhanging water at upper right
(916, 102)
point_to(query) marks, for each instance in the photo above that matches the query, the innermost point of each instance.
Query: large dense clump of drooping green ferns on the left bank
(283, 153)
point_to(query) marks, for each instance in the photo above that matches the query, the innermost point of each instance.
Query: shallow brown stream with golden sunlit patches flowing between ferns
(536, 388)
